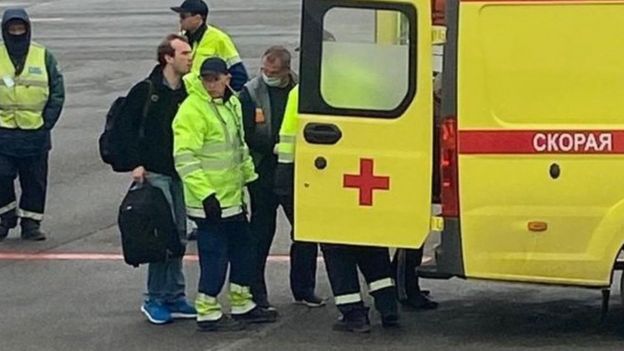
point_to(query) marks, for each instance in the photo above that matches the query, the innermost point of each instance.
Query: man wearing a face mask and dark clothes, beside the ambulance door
(264, 102)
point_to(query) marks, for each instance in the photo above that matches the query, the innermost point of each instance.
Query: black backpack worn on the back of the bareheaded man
(113, 142)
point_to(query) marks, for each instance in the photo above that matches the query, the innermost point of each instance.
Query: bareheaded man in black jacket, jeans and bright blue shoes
(151, 154)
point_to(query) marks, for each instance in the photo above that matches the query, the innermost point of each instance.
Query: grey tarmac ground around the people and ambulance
(73, 292)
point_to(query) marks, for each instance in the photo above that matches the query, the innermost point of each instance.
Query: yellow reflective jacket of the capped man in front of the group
(210, 153)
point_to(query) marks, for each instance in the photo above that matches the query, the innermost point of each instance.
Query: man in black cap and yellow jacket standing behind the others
(209, 41)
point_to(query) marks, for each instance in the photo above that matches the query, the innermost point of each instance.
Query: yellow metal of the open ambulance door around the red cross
(400, 148)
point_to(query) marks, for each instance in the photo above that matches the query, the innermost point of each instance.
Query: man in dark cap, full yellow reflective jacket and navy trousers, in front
(213, 161)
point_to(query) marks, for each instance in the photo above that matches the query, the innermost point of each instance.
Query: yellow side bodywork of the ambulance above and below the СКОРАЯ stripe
(541, 66)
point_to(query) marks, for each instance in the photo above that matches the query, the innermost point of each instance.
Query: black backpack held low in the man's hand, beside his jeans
(148, 232)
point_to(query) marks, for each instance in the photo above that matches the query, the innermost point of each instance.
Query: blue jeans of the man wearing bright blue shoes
(165, 280)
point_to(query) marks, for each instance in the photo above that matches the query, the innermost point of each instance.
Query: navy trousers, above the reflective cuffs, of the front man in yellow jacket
(219, 245)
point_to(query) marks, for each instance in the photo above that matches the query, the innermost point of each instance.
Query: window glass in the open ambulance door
(364, 59)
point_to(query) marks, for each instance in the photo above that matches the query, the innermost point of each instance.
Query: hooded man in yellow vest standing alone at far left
(31, 99)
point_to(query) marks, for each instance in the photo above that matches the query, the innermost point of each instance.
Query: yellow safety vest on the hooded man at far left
(23, 97)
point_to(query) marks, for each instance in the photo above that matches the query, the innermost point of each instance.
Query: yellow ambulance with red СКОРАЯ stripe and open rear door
(531, 136)
